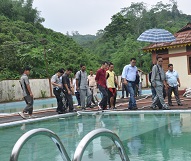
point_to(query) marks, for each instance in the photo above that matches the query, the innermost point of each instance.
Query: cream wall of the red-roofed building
(180, 65)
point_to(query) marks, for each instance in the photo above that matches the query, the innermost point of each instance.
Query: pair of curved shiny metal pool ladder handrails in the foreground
(80, 148)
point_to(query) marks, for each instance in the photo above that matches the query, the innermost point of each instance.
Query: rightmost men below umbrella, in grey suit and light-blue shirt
(162, 82)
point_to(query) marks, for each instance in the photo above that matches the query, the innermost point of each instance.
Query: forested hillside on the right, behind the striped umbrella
(118, 41)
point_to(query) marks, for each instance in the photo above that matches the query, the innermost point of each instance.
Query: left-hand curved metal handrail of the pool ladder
(41, 131)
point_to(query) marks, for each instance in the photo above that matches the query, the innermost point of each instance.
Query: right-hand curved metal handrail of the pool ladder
(97, 133)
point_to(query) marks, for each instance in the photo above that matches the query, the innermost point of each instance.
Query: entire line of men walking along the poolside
(105, 80)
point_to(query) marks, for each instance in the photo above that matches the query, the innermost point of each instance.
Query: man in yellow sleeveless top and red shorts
(111, 85)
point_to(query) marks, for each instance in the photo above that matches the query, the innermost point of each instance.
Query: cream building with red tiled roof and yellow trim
(177, 53)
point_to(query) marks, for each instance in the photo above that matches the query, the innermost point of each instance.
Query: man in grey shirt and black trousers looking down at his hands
(57, 88)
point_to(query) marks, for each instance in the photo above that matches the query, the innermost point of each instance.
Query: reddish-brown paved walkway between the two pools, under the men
(142, 104)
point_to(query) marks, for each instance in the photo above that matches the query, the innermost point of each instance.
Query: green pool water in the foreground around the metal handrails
(146, 137)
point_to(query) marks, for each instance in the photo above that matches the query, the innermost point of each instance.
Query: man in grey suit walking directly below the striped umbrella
(158, 80)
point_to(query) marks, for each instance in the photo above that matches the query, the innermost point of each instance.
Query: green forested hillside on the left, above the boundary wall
(24, 41)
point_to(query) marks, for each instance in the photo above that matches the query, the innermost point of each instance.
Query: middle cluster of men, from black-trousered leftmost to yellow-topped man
(85, 86)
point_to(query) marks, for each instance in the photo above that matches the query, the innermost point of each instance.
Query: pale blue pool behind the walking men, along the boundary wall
(14, 107)
